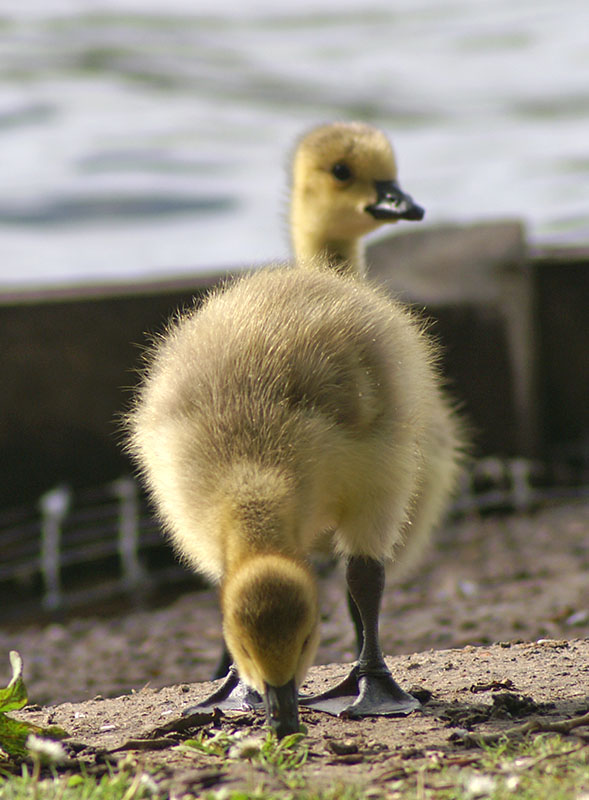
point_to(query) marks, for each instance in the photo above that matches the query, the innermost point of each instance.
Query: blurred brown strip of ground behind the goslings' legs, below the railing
(511, 578)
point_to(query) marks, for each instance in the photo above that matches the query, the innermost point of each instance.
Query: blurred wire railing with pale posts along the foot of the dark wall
(74, 548)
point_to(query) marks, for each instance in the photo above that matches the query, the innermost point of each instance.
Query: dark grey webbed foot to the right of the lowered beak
(364, 694)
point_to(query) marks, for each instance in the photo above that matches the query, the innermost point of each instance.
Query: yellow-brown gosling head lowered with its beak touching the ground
(270, 626)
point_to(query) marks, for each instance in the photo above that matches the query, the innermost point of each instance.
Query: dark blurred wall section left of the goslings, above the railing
(67, 361)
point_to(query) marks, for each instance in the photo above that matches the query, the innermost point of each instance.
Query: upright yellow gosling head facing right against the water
(344, 186)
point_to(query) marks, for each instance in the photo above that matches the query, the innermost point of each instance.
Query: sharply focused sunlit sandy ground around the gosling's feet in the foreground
(475, 690)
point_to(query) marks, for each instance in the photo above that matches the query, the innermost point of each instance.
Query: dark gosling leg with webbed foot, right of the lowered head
(369, 689)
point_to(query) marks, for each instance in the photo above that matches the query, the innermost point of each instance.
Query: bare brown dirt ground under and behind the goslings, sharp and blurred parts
(519, 581)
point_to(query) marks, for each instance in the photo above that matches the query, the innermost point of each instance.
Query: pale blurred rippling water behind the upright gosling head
(138, 143)
